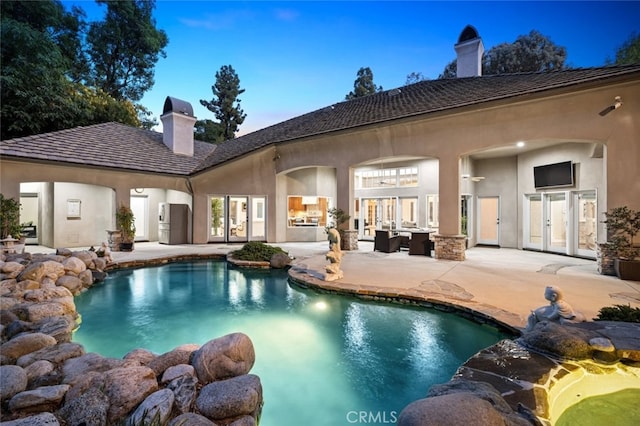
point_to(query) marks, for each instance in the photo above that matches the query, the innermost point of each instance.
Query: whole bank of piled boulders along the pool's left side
(48, 379)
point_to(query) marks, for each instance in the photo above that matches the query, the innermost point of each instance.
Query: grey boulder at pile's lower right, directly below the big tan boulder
(235, 397)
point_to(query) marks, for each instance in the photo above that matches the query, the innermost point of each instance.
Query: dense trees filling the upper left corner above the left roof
(46, 71)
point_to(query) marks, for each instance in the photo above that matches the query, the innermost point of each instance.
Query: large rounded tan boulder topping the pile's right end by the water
(227, 356)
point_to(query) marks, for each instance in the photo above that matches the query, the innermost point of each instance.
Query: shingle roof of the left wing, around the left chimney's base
(110, 145)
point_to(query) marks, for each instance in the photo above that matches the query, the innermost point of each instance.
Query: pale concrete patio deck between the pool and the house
(505, 284)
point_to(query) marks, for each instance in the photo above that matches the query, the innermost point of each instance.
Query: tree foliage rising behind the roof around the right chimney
(533, 52)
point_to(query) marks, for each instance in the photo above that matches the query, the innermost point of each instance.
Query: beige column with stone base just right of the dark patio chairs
(450, 244)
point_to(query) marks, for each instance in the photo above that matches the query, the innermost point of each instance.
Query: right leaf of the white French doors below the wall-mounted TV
(555, 220)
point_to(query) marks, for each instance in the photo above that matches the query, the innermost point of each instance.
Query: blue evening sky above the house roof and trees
(293, 57)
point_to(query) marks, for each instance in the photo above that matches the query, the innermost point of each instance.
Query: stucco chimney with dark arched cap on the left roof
(177, 126)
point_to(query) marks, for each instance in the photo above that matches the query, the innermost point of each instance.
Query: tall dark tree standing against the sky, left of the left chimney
(124, 48)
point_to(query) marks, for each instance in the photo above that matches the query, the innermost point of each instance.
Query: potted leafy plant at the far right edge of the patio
(623, 224)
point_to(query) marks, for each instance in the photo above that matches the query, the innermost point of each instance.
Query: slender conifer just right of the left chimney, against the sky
(225, 104)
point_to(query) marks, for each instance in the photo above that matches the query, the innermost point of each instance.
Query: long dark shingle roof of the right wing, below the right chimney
(416, 99)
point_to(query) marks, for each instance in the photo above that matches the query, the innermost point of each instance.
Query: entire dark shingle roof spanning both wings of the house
(119, 146)
